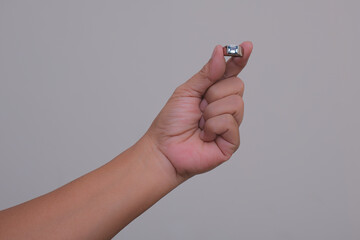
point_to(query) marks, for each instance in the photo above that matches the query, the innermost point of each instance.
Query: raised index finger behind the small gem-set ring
(235, 64)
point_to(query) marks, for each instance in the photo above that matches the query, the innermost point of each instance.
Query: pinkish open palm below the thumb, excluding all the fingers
(179, 137)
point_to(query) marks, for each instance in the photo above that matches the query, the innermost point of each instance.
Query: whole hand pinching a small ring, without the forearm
(198, 128)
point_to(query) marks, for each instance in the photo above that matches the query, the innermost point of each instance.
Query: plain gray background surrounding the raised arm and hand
(80, 81)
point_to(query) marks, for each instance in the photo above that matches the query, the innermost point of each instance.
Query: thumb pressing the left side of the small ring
(213, 71)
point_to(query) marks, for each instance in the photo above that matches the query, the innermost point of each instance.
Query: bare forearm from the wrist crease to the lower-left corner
(98, 204)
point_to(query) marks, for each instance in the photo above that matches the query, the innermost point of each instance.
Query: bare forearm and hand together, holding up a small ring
(197, 130)
